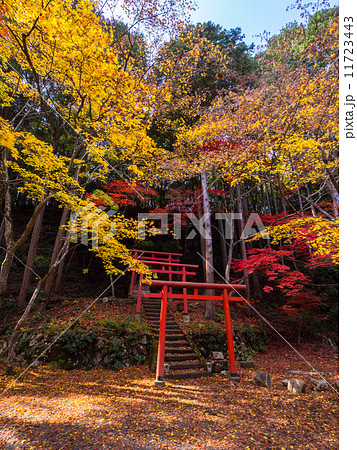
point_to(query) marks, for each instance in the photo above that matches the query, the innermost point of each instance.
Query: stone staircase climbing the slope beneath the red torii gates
(182, 360)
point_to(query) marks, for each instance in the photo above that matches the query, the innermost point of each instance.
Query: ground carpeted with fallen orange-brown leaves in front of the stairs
(122, 409)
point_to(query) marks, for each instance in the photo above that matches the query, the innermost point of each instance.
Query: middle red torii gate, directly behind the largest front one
(170, 272)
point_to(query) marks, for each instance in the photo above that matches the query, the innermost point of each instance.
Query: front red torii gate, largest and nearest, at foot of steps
(165, 295)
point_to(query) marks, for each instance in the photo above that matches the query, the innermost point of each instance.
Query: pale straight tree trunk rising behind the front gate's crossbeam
(208, 246)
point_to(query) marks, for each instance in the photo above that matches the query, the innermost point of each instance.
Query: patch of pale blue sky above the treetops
(252, 16)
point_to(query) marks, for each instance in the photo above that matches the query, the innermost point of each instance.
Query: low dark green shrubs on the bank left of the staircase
(119, 340)
